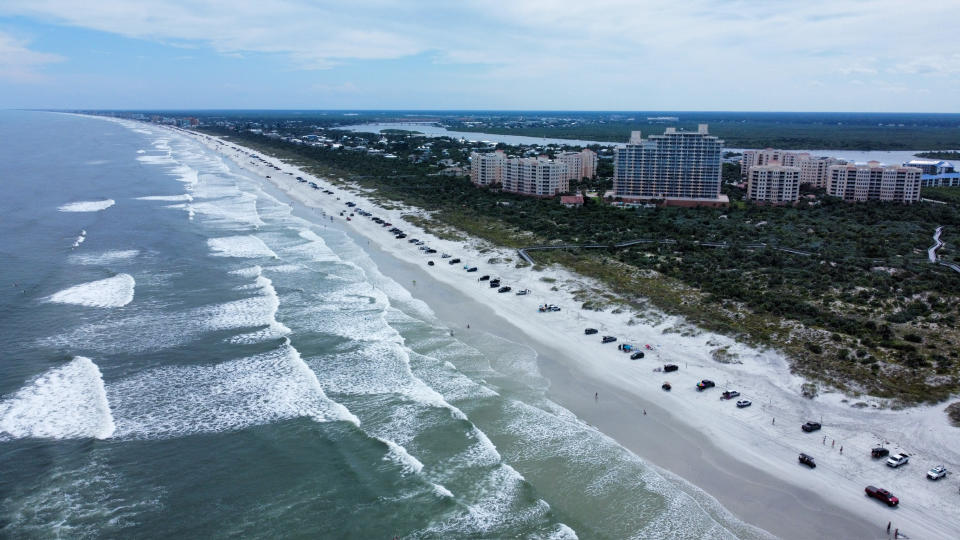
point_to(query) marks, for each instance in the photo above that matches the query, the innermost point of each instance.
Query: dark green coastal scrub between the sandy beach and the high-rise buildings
(865, 312)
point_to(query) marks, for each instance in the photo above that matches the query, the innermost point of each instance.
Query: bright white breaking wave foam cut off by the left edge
(65, 402)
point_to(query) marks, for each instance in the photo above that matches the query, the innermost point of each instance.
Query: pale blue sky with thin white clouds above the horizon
(727, 55)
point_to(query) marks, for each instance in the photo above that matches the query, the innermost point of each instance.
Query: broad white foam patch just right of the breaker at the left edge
(183, 400)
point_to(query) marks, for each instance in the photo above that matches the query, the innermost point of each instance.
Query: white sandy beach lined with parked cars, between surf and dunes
(745, 458)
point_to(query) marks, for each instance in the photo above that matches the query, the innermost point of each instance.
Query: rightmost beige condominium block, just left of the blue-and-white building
(874, 182)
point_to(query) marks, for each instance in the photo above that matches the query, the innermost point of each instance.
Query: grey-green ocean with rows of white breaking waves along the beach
(185, 355)
